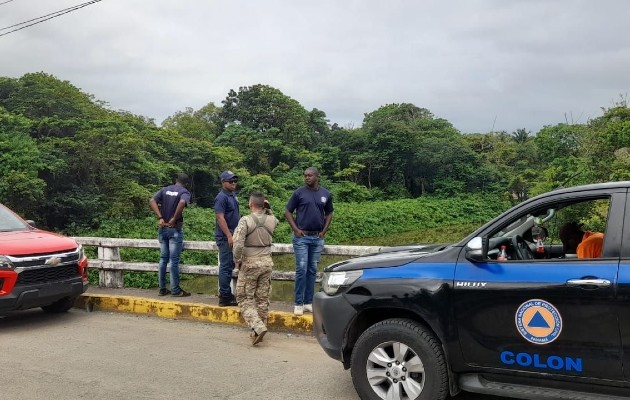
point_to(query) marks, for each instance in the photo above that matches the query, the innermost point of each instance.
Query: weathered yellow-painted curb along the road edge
(277, 320)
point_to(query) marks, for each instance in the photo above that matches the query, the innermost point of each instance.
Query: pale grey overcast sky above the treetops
(481, 64)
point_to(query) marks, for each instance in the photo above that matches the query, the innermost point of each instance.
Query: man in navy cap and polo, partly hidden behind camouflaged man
(227, 217)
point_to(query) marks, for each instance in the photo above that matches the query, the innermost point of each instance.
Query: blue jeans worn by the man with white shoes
(307, 251)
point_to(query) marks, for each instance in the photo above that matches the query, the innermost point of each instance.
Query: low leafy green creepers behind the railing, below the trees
(391, 222)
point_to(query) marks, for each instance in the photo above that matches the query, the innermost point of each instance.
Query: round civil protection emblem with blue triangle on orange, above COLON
(538, 321)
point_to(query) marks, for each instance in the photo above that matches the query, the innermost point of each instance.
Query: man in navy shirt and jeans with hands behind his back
(168, 206)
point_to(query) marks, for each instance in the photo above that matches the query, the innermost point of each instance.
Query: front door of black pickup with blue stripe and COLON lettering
(555, 316)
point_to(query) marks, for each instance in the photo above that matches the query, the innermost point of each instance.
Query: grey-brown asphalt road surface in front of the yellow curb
(100, 355)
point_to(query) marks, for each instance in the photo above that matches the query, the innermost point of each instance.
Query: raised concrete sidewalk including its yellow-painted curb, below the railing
(199, 307)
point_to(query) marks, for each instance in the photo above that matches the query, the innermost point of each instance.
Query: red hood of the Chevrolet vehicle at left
(30, 242)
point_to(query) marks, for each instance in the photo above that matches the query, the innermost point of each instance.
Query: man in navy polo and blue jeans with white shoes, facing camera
(313, 207)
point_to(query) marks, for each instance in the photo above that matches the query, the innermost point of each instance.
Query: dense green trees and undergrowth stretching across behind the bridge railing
(75, 165)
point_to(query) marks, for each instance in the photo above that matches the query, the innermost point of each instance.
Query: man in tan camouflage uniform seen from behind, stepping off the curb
(252, 255)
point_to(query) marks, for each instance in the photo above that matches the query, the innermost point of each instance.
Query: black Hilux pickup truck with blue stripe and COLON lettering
(511, 310)
